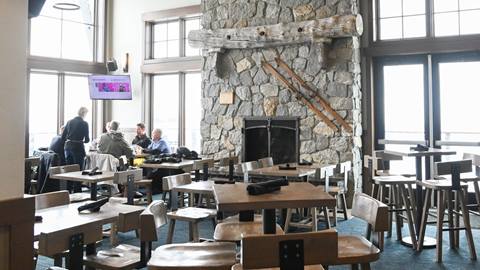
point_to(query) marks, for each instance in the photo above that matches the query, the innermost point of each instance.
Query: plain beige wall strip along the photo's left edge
(13, 78)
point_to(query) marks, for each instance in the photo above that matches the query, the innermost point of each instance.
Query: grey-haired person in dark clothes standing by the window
(75, 135)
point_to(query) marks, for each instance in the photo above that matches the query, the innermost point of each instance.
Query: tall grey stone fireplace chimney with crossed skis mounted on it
(258, 94)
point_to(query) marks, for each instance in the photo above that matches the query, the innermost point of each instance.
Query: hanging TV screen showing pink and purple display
(110, 87)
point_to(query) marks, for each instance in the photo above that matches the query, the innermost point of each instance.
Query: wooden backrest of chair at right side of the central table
(370, 210)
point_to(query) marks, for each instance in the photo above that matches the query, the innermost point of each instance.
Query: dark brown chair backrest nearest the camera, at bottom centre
(262, 251)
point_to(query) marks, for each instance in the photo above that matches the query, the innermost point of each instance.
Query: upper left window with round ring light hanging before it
(69, 34)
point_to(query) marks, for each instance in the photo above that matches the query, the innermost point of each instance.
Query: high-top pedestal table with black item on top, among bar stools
(427, 155)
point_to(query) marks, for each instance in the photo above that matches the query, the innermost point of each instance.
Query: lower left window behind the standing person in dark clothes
(46, 105)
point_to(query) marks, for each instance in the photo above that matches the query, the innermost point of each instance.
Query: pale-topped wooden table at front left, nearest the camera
(59, 224)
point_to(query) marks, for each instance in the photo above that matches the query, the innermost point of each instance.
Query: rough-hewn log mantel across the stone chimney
(319, 30)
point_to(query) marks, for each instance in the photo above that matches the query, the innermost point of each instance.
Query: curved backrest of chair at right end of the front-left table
(152, 218)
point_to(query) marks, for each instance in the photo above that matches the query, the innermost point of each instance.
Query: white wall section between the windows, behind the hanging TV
(126, 36)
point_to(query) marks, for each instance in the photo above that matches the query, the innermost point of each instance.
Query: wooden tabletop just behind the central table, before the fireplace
(300, 172)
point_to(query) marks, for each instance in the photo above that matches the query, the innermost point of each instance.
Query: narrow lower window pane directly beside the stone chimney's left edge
(193, 111)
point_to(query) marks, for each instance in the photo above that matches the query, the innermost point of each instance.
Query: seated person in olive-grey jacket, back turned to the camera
(113, 143)
